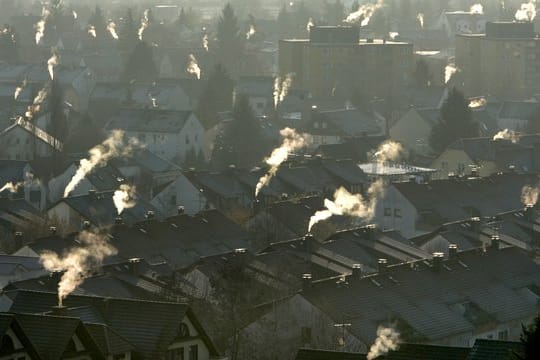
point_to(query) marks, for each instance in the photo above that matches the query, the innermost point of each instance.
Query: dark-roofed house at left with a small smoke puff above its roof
(98, 208)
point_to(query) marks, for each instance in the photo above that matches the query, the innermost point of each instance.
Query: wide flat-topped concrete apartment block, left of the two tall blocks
(334, 62)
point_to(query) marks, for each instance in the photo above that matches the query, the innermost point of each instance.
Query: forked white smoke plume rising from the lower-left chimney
(77, 263)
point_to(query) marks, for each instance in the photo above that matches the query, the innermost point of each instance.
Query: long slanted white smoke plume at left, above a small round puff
(114, 146)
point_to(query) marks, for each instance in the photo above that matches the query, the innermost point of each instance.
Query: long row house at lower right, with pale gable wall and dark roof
(434, 302)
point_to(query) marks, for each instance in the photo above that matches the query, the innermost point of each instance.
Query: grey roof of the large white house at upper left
(149, 120)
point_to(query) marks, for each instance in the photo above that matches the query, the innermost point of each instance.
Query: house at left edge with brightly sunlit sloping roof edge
(25, 141)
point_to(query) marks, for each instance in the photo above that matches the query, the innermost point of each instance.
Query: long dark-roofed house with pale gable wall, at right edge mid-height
(414, 209)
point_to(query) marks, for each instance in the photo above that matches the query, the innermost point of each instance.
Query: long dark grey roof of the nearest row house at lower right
(430, 305)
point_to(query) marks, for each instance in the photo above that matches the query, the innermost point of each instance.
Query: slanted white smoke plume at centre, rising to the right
(291, 141)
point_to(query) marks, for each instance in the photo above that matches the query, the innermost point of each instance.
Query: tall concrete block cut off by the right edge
(504, 62)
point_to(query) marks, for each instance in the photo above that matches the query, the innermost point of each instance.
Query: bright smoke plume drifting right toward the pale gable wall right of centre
(354, 205)
